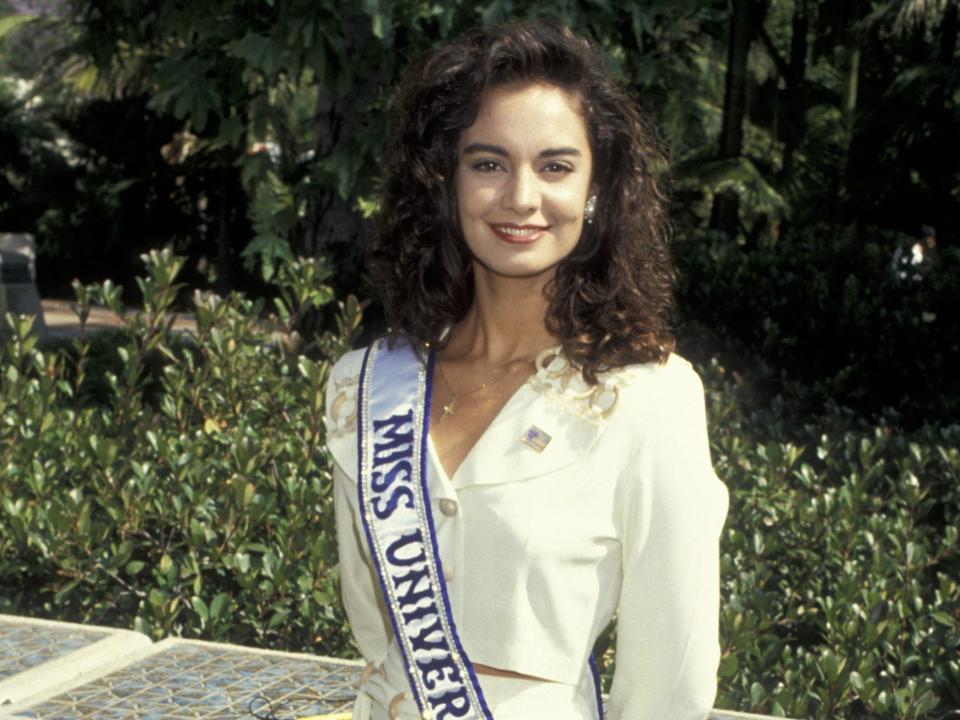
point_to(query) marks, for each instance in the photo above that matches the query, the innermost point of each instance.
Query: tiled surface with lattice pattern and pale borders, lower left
(52, 670)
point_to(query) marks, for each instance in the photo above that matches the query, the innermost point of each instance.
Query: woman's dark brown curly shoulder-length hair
(610, 299)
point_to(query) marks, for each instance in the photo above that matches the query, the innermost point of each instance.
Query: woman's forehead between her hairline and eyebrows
(525, 115)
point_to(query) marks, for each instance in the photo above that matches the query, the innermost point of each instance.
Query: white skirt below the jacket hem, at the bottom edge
(508, 698)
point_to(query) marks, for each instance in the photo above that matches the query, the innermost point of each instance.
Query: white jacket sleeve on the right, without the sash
(673, 509)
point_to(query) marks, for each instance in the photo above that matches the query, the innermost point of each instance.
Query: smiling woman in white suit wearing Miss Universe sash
(523, 264)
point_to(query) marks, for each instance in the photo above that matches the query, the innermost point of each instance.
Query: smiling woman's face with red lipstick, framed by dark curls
(523, 177)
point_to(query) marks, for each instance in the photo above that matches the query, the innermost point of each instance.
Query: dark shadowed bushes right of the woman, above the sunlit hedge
(835, 312)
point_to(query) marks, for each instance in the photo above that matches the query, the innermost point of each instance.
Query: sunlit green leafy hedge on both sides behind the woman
(190, 494)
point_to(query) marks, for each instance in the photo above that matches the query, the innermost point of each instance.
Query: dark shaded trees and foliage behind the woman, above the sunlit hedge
(814, 165)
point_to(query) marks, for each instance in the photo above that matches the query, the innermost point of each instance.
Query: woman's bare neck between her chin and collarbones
(505, 323)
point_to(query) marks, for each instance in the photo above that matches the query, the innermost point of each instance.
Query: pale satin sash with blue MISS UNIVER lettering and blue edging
(393, 421)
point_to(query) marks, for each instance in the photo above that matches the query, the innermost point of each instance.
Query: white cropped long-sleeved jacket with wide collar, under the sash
(620, 512)
